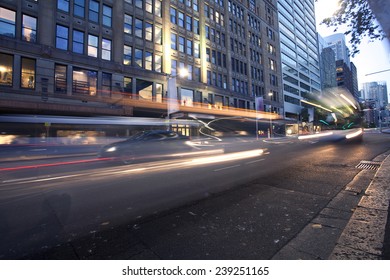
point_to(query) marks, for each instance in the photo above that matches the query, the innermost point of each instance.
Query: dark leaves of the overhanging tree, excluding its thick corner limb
(360, 20)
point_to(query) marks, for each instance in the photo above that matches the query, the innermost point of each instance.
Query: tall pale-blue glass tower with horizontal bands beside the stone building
(299, 52)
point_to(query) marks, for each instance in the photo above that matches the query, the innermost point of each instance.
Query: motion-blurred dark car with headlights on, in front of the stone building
(148, 145)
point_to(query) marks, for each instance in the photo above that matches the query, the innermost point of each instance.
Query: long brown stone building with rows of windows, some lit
(89, 57)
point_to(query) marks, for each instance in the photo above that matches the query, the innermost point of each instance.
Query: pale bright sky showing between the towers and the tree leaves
(373, 56)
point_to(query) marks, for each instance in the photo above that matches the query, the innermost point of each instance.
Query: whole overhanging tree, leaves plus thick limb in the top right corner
(361, 17)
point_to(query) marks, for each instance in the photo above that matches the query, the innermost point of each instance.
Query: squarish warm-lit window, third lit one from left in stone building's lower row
(84, 81)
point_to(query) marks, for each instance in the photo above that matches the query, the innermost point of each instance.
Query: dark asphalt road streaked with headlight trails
(204, 208)
